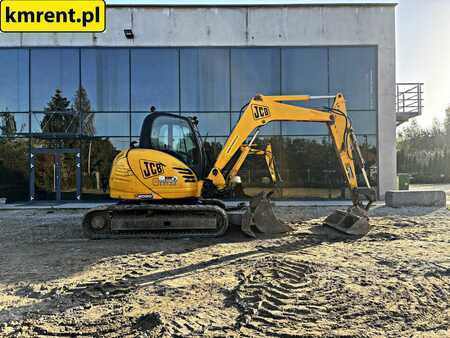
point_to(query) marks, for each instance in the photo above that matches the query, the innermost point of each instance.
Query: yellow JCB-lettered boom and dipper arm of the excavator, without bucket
(262, 110)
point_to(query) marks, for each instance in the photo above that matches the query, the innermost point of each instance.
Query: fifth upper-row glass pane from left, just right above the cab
(205, 79)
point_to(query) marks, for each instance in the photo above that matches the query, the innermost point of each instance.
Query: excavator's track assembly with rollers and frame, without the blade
(155, 221)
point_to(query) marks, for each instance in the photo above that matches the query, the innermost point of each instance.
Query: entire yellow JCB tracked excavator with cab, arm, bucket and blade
(164, 186)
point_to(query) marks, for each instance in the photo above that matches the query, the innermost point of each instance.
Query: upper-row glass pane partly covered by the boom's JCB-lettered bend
(254, 71)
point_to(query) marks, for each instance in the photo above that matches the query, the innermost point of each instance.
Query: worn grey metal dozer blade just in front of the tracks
(264, 217)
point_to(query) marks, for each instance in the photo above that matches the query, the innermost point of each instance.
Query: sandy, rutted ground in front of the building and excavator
(312, 282)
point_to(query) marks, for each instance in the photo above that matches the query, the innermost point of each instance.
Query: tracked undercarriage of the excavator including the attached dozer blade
(200, 218)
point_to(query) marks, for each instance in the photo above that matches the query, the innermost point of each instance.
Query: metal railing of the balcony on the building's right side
(409, 101)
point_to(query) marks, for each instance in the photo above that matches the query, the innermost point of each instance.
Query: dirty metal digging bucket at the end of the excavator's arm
(353, 222)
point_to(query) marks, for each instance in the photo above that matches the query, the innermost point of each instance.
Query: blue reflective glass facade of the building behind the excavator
(95, 99)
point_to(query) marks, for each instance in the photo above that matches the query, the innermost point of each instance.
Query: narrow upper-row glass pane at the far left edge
(14, 80)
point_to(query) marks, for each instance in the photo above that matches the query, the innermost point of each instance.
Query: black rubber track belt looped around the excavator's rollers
(187, 210)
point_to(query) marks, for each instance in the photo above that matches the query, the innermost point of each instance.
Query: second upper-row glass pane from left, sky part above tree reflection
(52, 70)
